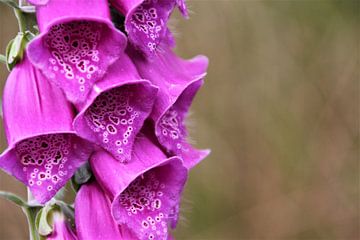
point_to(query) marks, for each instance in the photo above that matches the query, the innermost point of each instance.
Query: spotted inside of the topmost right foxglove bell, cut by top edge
(148, 22)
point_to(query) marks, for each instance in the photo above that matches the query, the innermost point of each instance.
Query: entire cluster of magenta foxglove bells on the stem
(88, 92)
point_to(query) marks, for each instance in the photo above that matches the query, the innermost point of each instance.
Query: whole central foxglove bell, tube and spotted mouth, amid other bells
(116, 109)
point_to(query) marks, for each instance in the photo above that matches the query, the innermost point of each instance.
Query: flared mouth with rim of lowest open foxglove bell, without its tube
(151, 202)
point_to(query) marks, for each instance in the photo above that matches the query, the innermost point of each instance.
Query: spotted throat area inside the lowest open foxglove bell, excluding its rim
(146, 201)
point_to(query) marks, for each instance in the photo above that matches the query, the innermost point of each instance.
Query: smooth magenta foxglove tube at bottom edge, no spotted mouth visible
(93, 217)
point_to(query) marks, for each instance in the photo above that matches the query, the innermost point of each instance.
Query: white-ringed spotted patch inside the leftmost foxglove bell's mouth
(45, 160)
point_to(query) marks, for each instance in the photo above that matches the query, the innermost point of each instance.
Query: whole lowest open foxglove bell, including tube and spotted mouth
(145, 192)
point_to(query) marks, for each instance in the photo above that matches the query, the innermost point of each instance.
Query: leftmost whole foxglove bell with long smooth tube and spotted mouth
(43, 150)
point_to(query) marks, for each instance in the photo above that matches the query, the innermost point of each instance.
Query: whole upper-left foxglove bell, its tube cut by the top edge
(77, 44)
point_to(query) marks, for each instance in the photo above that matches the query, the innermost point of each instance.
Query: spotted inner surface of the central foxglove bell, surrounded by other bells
(116, 117)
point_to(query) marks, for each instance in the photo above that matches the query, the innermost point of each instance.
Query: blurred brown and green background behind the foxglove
(280, 111)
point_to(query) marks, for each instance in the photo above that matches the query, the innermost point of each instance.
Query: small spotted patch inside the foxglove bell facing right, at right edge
(172, 130)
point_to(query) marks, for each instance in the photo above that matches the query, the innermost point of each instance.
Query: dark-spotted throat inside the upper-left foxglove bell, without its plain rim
(74, 53)
